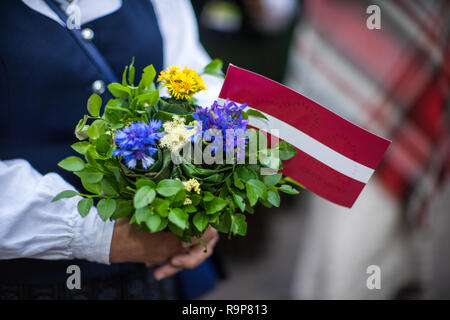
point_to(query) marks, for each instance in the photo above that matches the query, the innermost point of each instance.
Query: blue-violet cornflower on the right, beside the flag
(225, 119)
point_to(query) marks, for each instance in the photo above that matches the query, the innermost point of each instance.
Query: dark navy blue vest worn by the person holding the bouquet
(45, 80)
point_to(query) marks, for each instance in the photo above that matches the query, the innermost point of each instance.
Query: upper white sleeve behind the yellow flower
(182, 47)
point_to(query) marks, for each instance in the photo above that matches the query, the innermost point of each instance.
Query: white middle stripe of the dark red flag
(312, 147)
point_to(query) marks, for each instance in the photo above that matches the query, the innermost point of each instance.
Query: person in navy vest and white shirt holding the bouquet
(48, 67)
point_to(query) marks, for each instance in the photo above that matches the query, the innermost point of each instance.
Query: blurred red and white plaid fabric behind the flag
(393, 81)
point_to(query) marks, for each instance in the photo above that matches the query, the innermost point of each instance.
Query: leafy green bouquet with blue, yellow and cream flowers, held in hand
(170, 165)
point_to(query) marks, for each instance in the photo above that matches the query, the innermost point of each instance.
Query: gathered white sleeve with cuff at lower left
(34, 227)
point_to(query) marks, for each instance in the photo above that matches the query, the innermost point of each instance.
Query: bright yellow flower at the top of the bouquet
(182, 84)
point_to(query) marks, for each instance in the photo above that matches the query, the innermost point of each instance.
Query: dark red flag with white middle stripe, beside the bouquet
(335, 158)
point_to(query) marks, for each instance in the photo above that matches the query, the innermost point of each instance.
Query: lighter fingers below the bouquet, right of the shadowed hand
(195, 254)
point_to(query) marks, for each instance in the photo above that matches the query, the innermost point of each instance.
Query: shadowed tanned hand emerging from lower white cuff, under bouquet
(131, 245)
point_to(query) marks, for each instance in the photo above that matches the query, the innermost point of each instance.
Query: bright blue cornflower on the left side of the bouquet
(137, 142)
